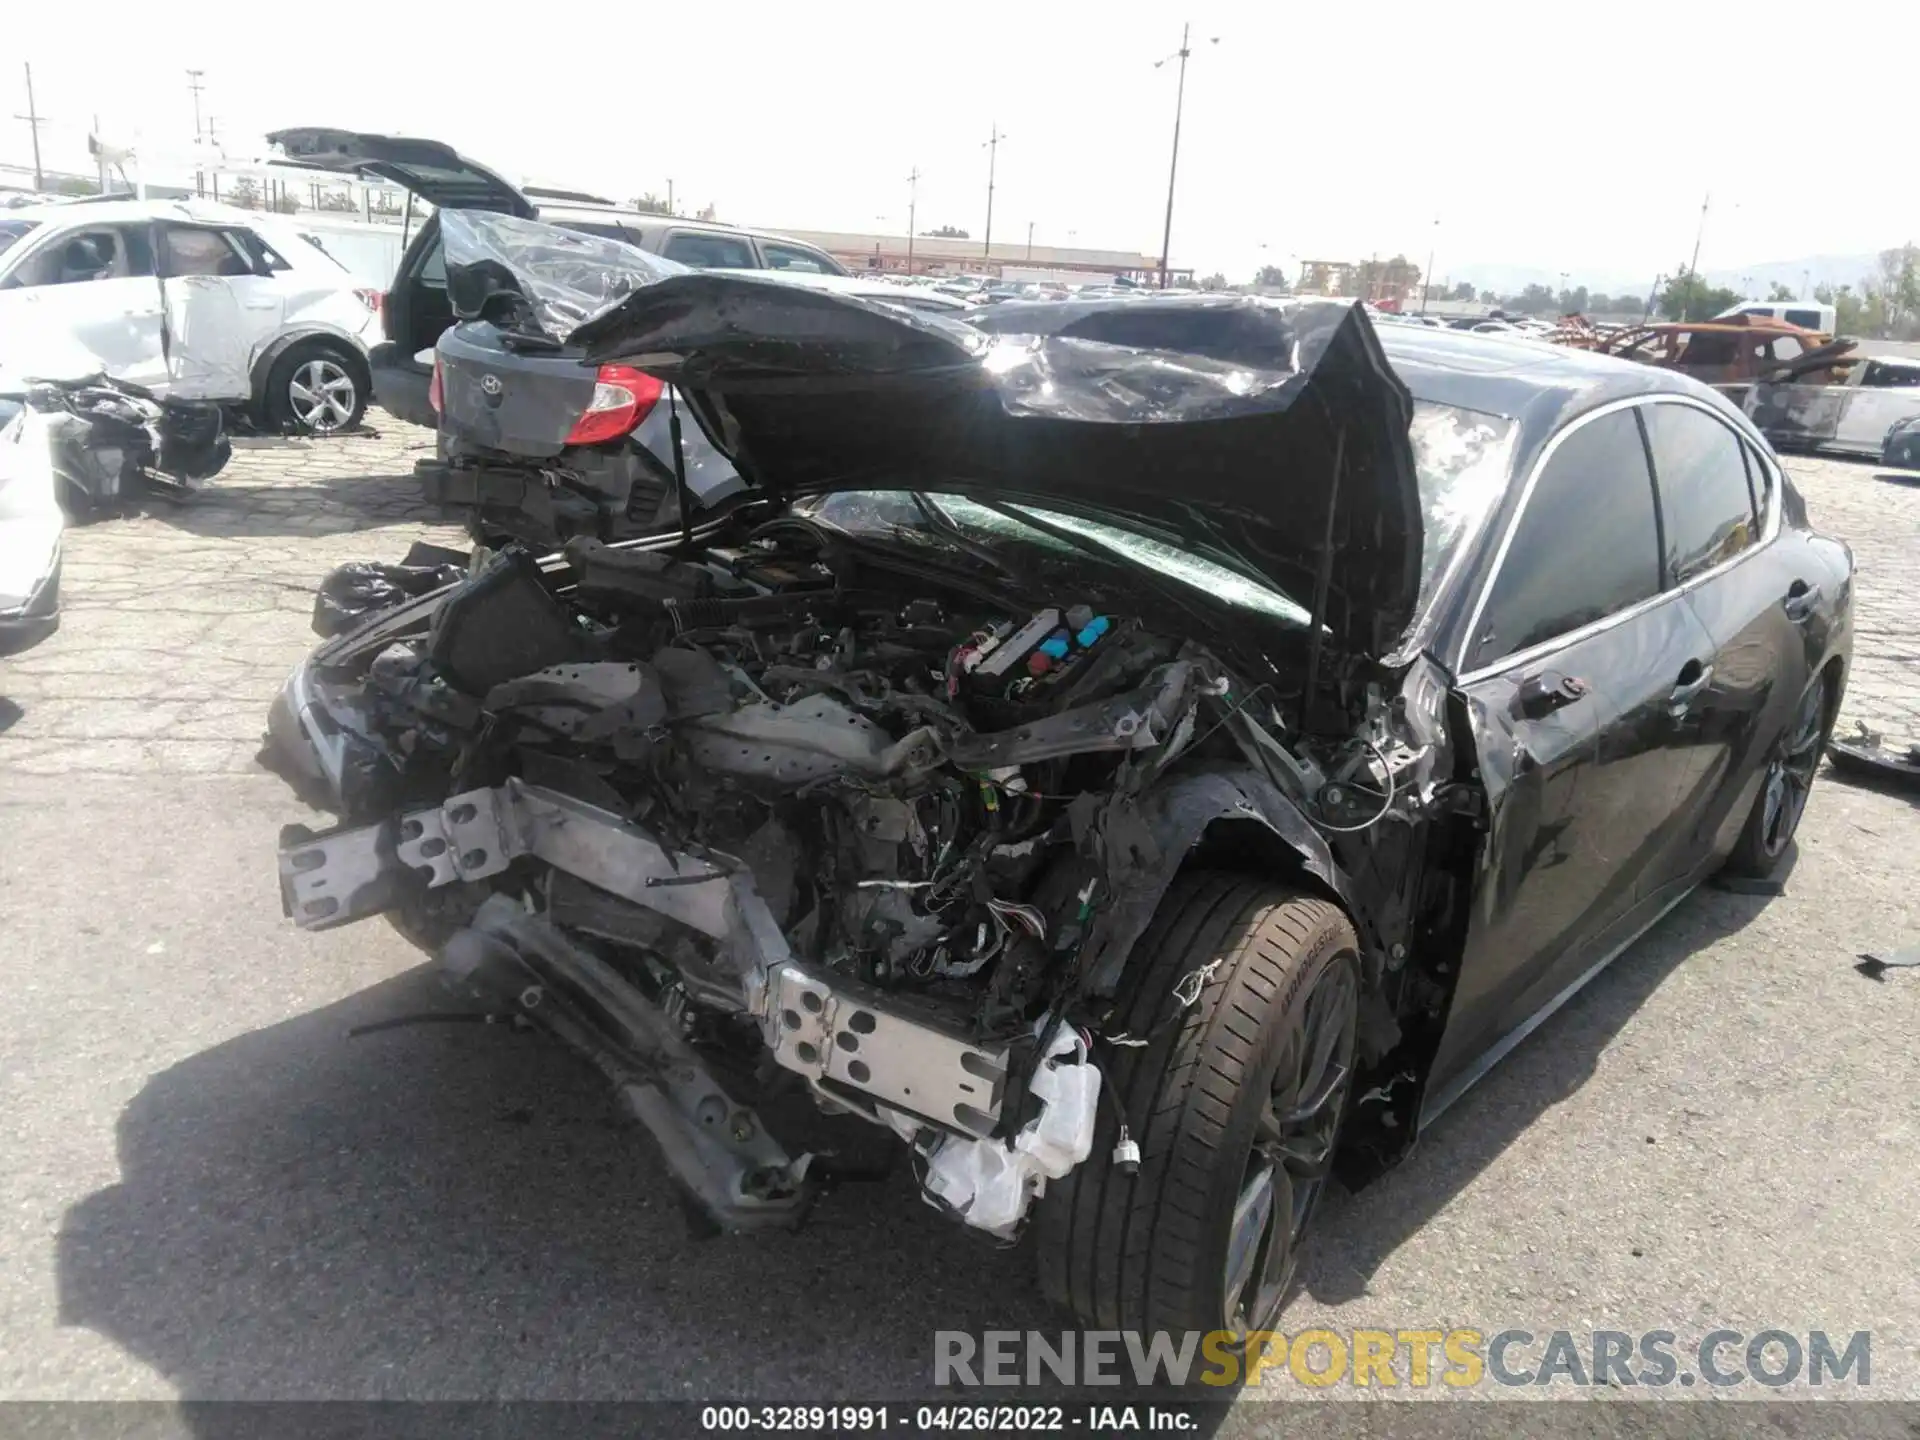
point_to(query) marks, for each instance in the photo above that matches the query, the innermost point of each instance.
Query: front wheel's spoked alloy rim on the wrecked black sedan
(1293, 1149)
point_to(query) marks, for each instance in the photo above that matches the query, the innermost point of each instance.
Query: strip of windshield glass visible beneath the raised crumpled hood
(1030, 552)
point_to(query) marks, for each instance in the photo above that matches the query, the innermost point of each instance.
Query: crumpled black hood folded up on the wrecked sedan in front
(1247, 431)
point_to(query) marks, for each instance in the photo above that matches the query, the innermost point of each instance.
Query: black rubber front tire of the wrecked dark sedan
(1151, 1251)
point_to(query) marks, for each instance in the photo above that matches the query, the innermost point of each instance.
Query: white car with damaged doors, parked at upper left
(189, 299)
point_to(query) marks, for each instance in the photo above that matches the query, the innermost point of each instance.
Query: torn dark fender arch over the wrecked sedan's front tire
(1149, 838)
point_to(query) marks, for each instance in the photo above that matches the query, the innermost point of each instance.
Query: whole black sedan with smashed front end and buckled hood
(1147, 757)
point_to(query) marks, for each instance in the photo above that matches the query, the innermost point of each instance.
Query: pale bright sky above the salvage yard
(1562, 137)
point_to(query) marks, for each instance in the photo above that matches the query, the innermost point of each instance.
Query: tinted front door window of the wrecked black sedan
(1587, 544)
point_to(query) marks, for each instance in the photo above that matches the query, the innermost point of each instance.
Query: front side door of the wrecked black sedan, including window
(1573, 673)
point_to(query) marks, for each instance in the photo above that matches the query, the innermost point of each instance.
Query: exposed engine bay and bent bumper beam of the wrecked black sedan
(773, 804)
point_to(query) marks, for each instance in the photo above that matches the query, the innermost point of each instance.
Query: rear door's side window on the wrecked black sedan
(1706, 508)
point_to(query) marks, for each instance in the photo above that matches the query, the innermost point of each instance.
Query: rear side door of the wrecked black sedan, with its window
(1719, 510)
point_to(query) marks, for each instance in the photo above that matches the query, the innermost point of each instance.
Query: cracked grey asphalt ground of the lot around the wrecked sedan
(210, 1191)
